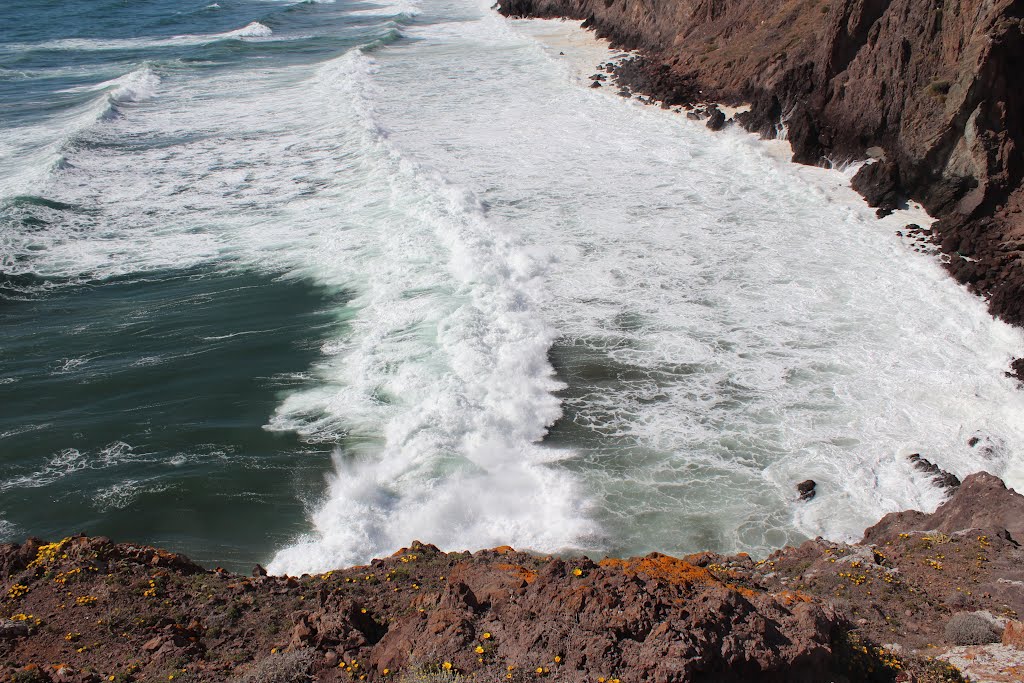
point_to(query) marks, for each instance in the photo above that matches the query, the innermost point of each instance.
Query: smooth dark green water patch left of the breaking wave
(136, 408)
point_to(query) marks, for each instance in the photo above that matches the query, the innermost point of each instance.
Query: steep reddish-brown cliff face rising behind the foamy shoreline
(932, 89)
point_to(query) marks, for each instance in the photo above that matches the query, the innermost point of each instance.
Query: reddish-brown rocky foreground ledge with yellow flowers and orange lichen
(920, 590)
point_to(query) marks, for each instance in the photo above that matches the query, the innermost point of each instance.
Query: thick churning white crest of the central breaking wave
(462, 369)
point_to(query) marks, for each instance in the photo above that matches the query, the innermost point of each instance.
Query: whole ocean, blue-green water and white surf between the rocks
(298, 283)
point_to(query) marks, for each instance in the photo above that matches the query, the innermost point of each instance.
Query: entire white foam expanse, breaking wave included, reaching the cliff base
(732, 324)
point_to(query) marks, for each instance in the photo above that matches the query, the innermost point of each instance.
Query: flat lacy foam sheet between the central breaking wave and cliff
(758, 325)
